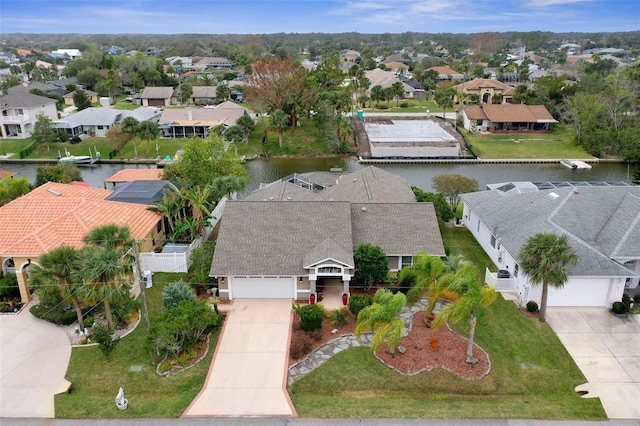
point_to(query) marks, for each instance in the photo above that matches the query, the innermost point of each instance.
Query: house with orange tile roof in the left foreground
(55, 214)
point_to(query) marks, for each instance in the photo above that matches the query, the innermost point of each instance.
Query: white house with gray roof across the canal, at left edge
(20, 111)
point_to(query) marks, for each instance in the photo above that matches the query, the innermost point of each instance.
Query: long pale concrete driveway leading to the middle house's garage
(248, 373)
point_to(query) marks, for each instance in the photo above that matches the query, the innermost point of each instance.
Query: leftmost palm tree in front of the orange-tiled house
(57, 268)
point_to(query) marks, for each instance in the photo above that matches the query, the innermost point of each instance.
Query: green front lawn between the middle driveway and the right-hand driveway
(354, 384)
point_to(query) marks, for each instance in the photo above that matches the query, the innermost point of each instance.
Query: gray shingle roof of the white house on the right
(601, 223)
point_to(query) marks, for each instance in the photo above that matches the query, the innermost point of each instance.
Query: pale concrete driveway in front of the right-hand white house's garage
(606, 348)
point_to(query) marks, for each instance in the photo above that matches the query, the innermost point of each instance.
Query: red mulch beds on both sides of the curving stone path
(450, 355)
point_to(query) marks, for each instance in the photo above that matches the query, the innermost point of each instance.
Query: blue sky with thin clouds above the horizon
(305, 16)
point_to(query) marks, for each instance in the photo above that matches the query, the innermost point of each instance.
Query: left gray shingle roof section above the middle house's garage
(272, 237)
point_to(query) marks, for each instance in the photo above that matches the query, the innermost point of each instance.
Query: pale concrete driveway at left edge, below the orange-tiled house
(34, 356)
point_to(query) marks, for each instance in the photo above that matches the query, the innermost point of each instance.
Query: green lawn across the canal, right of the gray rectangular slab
(558, 144)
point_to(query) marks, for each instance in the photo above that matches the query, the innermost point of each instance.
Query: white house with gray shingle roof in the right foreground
(601, 222)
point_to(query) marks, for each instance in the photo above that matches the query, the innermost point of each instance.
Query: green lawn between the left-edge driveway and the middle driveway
(96, 379)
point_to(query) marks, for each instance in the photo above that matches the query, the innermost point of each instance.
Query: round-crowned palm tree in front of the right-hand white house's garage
(544, 258)
